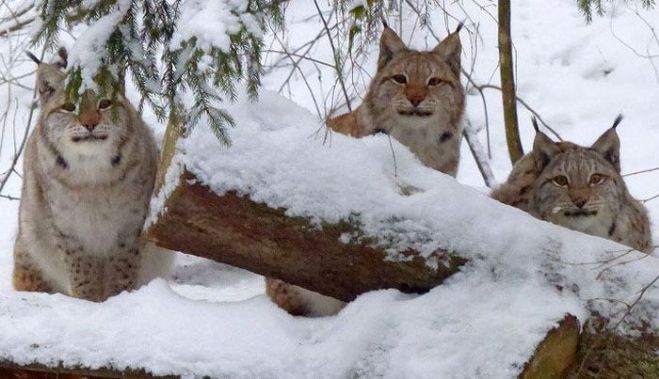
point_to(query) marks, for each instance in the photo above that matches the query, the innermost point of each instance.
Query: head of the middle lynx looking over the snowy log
(412, 87)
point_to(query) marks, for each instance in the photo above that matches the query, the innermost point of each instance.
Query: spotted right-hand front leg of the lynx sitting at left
(122, 270)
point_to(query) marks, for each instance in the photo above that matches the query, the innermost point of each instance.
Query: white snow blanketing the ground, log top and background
(210, 319)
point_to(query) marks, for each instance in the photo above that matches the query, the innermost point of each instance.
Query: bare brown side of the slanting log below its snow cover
(240, 232)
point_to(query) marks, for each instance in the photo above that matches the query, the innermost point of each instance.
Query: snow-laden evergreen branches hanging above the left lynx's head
(170, 48)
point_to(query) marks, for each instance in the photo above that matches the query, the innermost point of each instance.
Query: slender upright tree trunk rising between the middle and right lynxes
(506, 68)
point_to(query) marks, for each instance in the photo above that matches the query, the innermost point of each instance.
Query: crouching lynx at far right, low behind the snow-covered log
(579, 188)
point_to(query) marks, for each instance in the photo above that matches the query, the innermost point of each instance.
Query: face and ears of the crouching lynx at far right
(579, 188)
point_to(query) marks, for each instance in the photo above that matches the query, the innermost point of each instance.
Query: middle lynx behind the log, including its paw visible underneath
(415, 97)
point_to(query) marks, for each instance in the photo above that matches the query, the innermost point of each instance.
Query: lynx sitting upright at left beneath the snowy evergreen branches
(89, 171)
